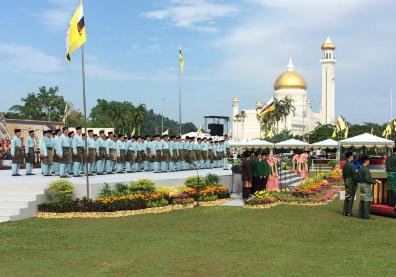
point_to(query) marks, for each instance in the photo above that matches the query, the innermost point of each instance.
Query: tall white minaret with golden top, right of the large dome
(327, 107)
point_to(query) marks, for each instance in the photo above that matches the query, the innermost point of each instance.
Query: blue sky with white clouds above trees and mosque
(231, 48)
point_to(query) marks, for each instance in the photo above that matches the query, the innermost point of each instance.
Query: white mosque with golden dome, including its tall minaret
(292, 85)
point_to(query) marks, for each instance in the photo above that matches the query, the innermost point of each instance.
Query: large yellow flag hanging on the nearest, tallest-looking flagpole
(76, 35)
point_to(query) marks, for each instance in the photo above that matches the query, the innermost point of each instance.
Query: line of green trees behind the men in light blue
(48, 105)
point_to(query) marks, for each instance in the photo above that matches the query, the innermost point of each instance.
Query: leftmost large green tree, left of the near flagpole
(44, 105)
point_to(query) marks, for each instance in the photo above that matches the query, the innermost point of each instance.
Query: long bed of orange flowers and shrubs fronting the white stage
(141, 195)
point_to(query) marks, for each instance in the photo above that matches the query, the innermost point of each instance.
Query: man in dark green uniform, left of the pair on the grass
(349, 176)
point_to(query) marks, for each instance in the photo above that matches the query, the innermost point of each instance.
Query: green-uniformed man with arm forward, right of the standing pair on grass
(365, 181)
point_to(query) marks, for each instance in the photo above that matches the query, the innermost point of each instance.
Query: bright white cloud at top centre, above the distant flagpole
(197, 14)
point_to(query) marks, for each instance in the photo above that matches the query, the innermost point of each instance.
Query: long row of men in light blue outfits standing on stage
(63, 153)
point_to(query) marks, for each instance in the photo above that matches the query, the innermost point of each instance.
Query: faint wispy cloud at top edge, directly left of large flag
(57, 17)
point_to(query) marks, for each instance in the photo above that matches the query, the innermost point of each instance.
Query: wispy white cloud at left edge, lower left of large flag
(21, 58)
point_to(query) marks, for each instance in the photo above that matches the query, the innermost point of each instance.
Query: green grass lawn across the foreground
(213, 241)
